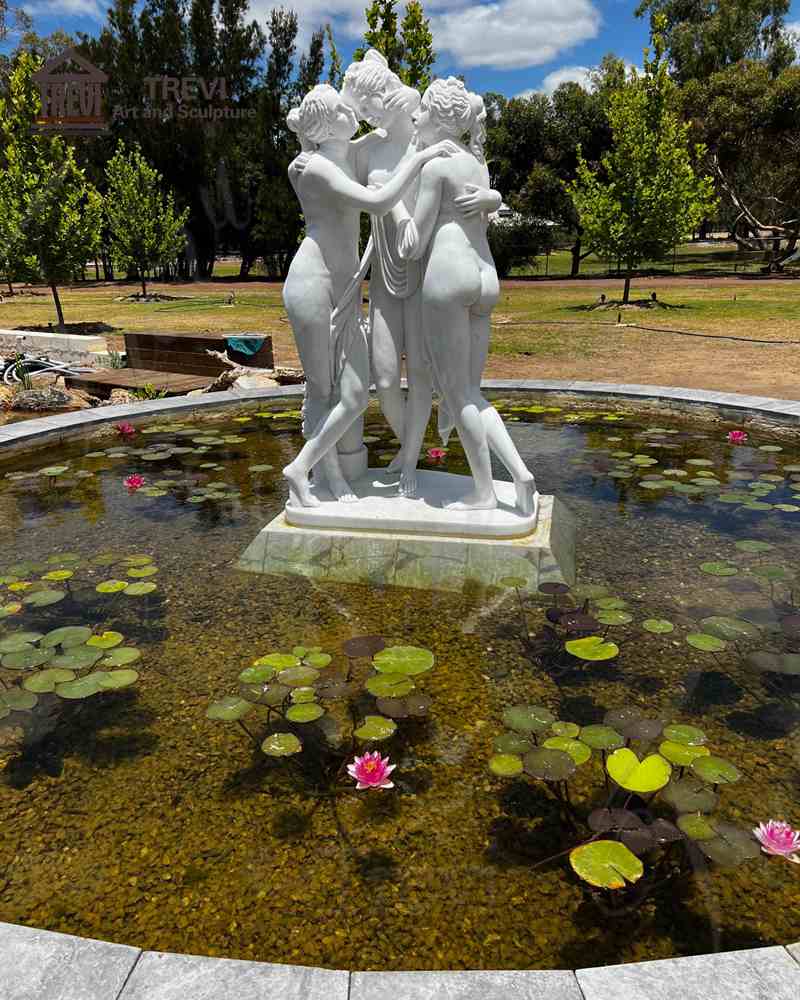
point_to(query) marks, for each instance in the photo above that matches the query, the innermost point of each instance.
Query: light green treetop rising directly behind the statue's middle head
(408, 47)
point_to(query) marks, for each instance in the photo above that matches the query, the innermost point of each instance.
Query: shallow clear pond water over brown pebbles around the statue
(129, 815)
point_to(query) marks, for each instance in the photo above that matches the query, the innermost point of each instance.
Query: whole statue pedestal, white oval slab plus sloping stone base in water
(386, 541)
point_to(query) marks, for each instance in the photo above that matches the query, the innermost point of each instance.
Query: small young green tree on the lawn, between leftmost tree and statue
(145, 231)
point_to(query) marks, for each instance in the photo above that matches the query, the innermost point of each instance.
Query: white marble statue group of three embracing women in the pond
(422, 178)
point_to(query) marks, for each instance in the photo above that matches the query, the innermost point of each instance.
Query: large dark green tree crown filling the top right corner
(706, 36)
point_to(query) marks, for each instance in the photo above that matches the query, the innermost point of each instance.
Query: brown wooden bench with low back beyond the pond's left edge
(175, 363)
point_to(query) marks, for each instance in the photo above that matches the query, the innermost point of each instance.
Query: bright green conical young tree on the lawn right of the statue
(645, 196)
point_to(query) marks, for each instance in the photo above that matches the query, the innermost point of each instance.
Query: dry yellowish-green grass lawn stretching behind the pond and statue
(541, 329)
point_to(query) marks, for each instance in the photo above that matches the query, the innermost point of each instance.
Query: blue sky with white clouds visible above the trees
(511, 46)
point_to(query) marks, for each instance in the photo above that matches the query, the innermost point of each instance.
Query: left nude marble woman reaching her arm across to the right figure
(322, 290)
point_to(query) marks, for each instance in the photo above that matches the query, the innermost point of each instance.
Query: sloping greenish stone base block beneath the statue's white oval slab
(422, 561)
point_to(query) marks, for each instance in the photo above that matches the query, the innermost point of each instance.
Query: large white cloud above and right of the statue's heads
(510, 34)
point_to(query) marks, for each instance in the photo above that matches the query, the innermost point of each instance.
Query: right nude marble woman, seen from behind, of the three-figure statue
(459, 291)
